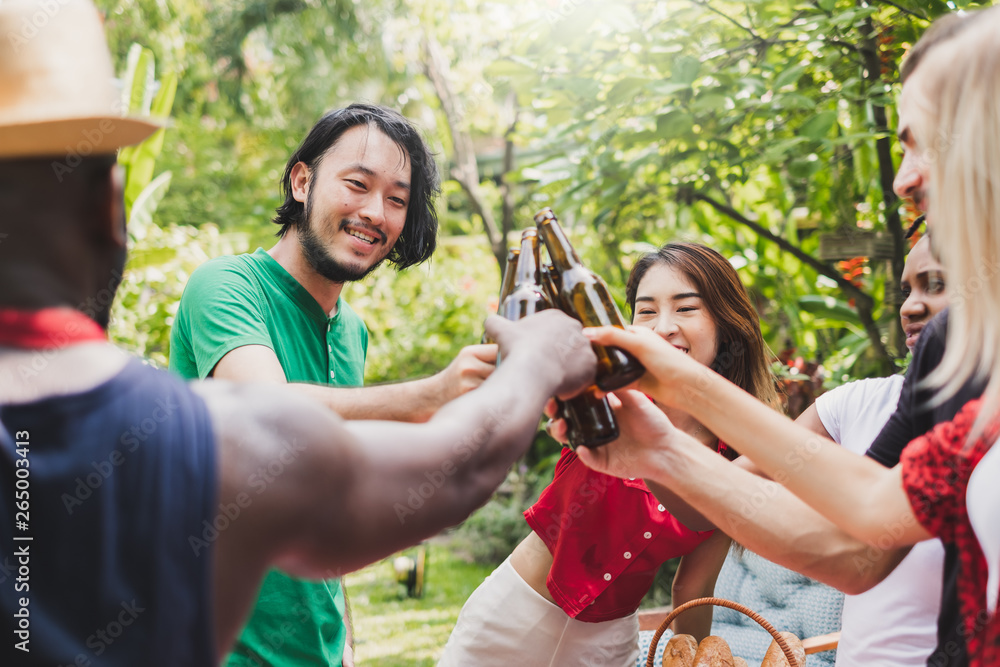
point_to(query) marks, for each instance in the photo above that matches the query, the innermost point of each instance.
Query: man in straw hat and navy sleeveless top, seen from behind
(130, 532)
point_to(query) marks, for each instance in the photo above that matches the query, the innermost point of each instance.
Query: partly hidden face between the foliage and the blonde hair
(923, 289)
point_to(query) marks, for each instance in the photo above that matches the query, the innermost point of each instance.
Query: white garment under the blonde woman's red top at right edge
(982, 501)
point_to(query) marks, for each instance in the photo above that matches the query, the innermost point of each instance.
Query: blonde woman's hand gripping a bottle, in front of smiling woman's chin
(669, 371)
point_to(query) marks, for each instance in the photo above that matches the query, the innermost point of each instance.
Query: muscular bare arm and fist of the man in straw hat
(321, 497)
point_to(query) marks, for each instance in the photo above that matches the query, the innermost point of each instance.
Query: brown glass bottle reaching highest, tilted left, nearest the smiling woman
(586, 297)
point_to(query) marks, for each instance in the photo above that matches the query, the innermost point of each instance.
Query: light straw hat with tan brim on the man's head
(57, 95)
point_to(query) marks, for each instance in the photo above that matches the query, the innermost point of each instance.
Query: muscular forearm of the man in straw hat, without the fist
(431, 476)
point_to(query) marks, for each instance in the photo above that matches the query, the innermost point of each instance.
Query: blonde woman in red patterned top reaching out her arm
(949, 124)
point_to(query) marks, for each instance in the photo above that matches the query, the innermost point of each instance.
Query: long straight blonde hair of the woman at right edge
(961, 140)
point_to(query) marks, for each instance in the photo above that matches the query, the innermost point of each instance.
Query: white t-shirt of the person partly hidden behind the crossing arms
(894, 623)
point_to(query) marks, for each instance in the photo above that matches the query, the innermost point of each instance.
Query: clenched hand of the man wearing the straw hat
(557, 347)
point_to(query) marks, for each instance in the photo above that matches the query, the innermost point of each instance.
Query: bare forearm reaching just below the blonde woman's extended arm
(767, 519)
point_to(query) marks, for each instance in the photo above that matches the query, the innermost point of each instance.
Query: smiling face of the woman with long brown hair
(668, 302)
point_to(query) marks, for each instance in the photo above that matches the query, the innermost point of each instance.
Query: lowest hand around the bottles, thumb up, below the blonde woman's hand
(645, 435)
